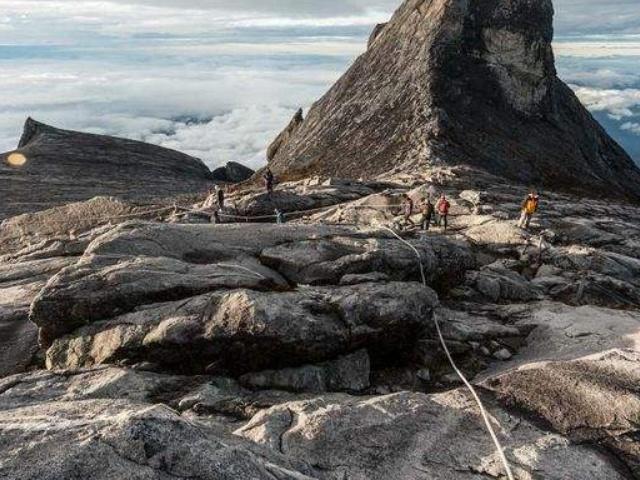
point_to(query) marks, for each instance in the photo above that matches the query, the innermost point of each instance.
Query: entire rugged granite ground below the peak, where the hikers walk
(308, 350)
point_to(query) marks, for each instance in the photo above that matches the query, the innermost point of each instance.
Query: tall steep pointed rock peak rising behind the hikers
(460, 82)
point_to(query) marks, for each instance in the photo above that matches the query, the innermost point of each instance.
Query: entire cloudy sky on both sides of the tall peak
(219, 78)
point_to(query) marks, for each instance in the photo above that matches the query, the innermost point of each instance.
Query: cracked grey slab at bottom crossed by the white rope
(411, 436)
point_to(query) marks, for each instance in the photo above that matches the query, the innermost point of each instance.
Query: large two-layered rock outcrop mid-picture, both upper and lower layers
(202, 298)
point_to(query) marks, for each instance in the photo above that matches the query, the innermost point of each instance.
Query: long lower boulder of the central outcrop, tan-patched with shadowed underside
(249, 331)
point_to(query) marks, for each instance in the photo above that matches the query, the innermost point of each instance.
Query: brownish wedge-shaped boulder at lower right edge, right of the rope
(590, 400)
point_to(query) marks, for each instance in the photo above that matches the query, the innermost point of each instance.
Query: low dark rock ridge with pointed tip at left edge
(53, 167)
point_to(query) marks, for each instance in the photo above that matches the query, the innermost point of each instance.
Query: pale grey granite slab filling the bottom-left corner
(107, 423)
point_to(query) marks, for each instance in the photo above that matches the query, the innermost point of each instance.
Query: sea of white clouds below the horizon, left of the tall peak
(216, 108)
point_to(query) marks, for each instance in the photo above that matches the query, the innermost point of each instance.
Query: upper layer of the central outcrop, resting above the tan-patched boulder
(141, 264)
